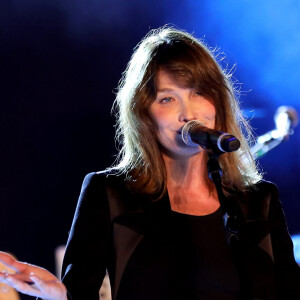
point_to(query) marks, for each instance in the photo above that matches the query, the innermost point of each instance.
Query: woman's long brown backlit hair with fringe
(192, 64)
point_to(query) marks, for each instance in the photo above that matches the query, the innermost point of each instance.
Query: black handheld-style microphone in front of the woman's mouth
(194, 133)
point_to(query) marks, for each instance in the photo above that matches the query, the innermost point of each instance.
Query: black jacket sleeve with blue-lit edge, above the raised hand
(89, 244)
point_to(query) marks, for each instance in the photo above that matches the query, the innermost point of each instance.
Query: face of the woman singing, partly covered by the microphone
(173, 107)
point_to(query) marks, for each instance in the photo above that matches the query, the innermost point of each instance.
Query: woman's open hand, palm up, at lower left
(32, 280)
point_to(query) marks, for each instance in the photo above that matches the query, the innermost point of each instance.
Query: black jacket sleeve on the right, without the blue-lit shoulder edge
(286, 268)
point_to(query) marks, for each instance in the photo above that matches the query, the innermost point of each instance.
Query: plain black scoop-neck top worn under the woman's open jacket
(189, 256)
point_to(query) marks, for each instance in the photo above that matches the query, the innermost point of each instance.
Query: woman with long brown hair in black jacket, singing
(154, 221)
